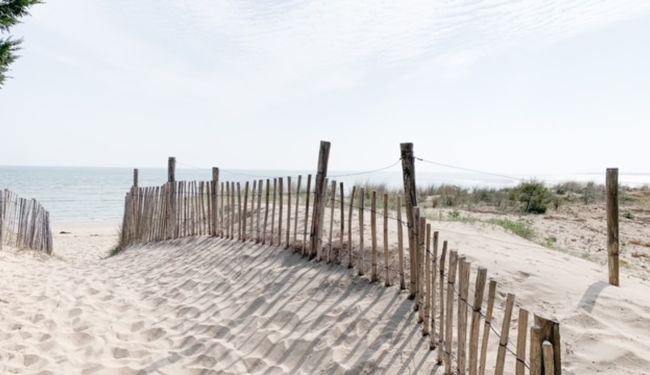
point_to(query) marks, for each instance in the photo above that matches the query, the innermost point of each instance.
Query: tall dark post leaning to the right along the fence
(319, 199)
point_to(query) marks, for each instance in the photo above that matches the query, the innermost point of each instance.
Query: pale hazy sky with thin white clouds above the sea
(505, 86)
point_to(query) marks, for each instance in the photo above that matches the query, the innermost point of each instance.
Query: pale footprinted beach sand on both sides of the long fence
(214, 306)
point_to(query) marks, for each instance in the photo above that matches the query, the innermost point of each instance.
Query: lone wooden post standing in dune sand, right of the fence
(612, 225)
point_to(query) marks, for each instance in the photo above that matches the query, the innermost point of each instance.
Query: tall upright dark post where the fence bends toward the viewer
(410, 200)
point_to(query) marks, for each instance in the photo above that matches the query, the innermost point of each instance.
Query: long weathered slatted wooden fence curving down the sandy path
(462, 321)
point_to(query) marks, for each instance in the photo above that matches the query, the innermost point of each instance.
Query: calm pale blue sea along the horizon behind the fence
(80, 194)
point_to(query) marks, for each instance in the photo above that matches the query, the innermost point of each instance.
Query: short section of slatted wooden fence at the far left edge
(24, 223)
